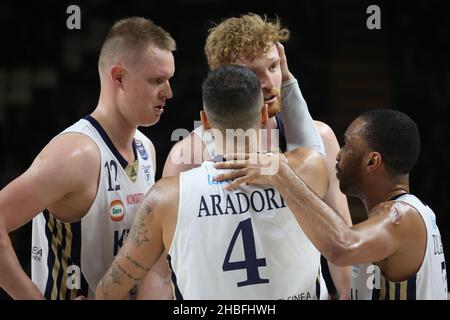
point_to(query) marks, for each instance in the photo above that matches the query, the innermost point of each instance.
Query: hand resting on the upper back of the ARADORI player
(256, 169)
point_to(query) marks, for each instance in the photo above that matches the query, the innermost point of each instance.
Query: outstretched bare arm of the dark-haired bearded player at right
(390, 232)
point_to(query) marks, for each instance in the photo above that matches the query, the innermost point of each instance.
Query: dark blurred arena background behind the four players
(49, 79)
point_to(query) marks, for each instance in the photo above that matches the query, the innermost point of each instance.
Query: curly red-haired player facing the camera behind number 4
(255, 42)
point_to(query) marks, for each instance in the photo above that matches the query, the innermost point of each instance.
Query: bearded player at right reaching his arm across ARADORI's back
(397, 252)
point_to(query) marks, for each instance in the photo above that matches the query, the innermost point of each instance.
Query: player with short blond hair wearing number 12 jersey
(85, 186)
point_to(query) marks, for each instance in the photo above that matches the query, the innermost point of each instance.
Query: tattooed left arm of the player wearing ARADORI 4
(144, 244)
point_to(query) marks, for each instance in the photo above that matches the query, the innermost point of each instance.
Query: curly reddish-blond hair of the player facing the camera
(243, 37)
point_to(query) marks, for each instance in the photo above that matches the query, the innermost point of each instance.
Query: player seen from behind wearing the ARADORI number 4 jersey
(224, 245)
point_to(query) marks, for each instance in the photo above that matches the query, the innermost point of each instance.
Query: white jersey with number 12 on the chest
(69, 259)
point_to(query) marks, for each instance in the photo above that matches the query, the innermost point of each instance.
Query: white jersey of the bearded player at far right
(429, 283)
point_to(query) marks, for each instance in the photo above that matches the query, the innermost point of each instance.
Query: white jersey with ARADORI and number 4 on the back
(244, 244)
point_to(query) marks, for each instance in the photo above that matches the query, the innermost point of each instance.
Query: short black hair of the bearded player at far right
(395, 136)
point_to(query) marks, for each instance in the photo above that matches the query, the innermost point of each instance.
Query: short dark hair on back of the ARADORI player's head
(232, 97)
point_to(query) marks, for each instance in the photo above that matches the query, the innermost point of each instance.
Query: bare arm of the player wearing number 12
(60, 178)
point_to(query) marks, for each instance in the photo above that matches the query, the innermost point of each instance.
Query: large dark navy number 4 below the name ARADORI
(251, 262)
